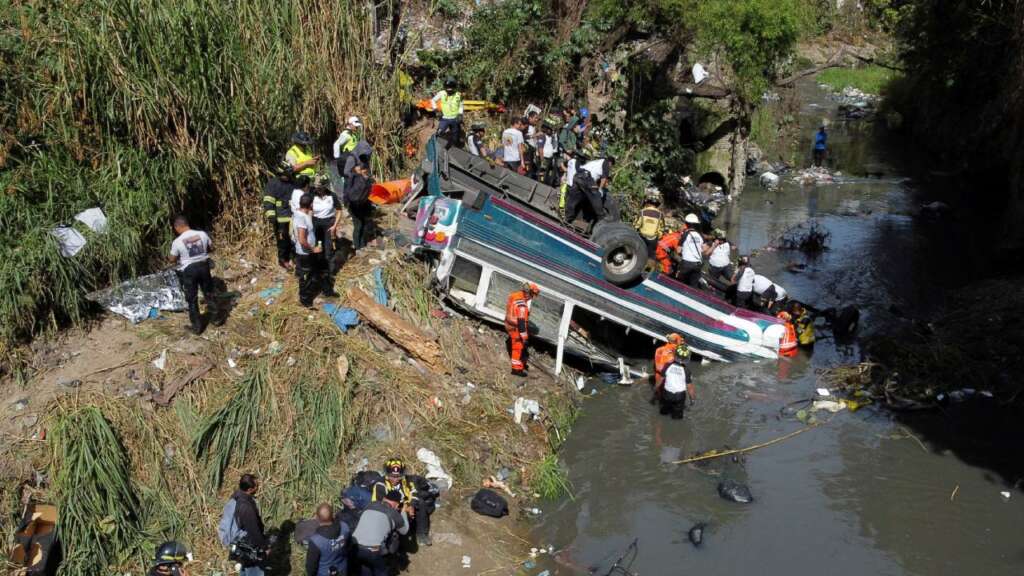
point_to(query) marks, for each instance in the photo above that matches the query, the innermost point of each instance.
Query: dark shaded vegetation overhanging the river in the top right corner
(963, 93)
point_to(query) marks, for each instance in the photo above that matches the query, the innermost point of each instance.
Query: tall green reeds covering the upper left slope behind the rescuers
(148, 108)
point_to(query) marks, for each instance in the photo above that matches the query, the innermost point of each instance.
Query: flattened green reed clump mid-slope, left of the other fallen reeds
(227, 436)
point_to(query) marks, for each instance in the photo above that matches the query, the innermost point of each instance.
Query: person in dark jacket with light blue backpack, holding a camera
(241, 528)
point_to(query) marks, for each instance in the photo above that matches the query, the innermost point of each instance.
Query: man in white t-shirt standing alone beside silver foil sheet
(191, 253)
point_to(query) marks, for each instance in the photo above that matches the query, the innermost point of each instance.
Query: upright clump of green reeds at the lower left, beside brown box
(99, 523)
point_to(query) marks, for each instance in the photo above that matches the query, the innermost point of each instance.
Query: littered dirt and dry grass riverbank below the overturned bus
(315, 426)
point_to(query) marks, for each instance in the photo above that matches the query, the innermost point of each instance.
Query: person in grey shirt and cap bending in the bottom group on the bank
(376, 534)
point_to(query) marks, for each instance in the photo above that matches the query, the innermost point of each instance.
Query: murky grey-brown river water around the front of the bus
(855, 497)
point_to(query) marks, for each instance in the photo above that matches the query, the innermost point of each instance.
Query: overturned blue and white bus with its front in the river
(590, 308)
